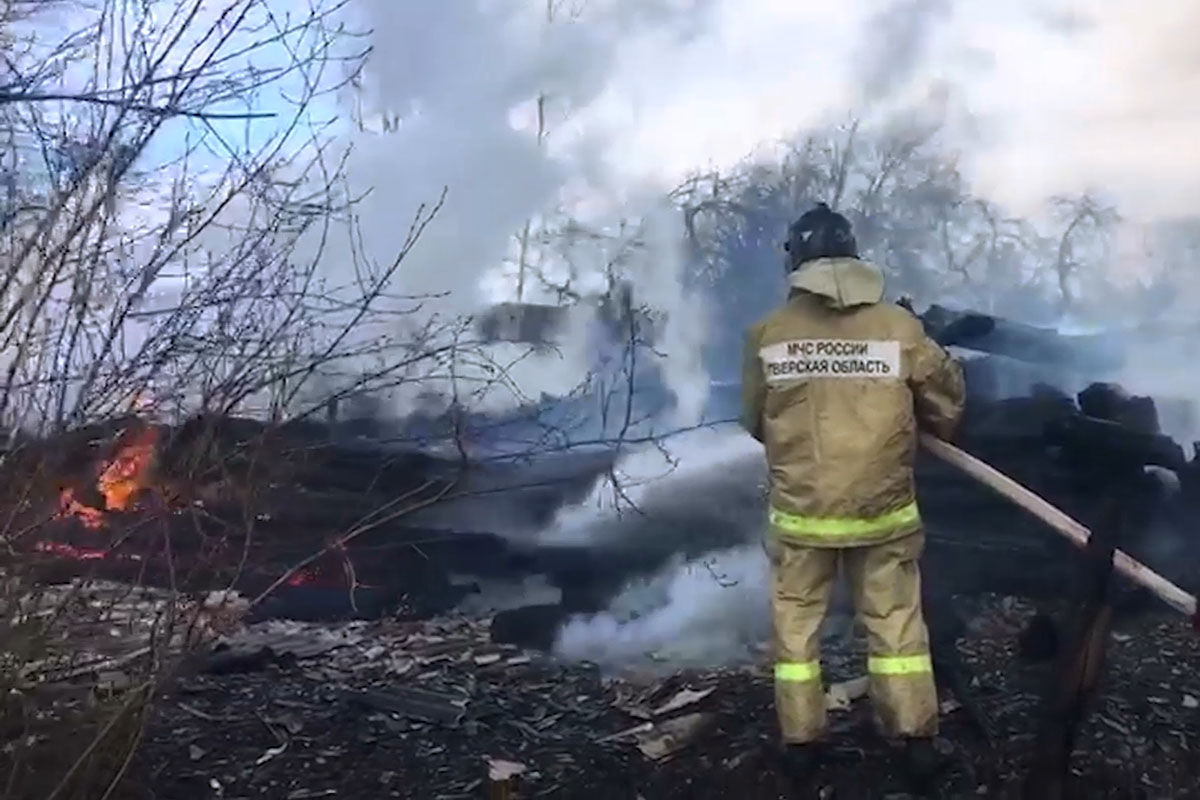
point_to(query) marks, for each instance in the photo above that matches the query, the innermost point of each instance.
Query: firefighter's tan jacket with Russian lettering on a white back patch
(836, 386)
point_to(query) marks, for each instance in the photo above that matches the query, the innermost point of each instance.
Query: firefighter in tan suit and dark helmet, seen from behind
(836, 386)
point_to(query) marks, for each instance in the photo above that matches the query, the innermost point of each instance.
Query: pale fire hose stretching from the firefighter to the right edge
(1061, 522)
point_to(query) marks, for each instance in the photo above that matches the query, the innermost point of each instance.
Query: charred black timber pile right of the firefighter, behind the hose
(1064, 449)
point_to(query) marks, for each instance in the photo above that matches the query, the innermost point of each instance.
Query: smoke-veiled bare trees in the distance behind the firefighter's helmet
(914, 213)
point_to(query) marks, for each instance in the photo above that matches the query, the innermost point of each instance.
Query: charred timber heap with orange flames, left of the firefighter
(243, 504)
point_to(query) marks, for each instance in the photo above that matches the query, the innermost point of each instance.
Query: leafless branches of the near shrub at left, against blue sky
(196, 275)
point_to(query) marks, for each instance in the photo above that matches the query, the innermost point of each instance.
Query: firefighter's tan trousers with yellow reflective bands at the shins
(885, 585)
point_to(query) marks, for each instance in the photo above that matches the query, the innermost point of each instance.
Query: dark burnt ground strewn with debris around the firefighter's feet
(387, 709)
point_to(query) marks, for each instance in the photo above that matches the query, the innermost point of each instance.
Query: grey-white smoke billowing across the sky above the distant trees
(635, 95)
